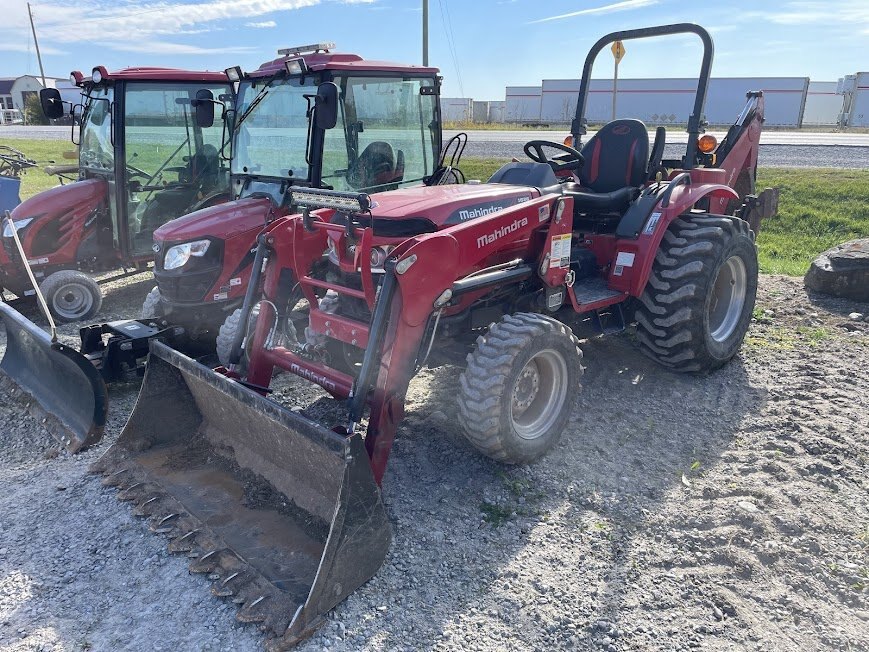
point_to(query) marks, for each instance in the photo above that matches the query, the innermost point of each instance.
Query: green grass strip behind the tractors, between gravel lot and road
(818, 209)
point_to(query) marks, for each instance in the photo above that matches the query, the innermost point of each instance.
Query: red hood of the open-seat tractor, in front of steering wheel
(450, 204)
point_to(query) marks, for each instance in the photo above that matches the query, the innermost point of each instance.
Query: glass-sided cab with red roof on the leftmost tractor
(139, 135)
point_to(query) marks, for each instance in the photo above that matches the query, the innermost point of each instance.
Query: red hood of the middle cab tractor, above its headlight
(223, 221)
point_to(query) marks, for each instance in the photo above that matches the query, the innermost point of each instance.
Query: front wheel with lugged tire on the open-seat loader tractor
(516, 394)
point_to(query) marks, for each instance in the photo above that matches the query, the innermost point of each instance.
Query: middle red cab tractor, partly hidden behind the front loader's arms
(310, 118)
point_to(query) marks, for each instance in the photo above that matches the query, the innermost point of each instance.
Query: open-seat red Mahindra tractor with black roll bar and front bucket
(285, 514)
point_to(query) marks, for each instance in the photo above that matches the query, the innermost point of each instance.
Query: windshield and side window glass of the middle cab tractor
(387, 134)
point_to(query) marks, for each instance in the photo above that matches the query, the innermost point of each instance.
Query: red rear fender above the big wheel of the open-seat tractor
(633, 261)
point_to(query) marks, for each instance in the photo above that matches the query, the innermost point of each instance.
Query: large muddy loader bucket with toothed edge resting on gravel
(283, 514)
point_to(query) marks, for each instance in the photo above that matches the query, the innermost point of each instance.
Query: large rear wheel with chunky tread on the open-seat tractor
(697, 305)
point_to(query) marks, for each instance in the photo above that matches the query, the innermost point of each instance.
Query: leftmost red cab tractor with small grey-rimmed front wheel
(143, 160)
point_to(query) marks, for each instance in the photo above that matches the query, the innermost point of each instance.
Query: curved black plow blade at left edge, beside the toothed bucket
(68, 389)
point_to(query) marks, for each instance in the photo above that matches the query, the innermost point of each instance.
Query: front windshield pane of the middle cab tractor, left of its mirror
(270, 141)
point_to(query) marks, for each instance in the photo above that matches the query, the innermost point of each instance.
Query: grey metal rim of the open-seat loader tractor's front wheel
(539, 394)
